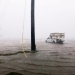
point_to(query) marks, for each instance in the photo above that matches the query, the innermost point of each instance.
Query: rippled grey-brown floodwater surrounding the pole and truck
(50, 58)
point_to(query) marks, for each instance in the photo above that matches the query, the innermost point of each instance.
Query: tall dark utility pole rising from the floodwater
(33, 46)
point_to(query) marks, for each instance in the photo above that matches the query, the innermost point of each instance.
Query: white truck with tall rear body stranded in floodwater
(56, 38)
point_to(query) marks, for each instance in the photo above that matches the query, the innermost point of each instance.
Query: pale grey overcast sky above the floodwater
(50, 16)
